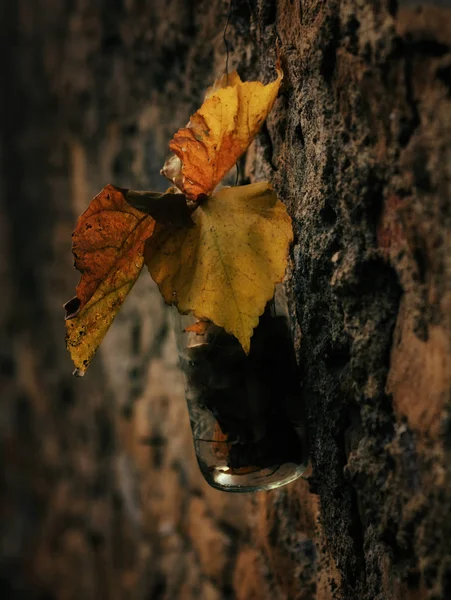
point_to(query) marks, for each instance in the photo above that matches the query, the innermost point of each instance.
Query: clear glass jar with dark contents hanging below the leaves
(246, 413)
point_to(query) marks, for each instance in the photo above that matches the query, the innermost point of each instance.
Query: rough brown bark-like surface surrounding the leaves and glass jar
(101, 494)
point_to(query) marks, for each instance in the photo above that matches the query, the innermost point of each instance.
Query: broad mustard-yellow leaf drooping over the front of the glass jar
(225, 268)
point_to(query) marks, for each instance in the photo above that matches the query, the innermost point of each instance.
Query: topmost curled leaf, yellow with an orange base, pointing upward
(219, 133)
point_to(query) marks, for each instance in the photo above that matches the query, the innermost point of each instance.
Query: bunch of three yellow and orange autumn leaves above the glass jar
(215, 254)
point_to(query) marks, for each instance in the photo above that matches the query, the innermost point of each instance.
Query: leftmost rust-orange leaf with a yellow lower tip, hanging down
(108, 245)
